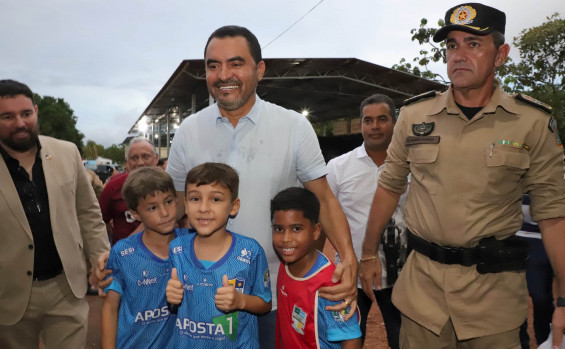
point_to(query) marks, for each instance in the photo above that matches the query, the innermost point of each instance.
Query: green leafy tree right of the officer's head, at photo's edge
(540, 72)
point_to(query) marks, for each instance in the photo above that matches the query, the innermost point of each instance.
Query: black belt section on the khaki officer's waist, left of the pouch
(466, 256)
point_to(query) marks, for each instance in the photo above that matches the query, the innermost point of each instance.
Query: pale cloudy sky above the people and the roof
(108, 59)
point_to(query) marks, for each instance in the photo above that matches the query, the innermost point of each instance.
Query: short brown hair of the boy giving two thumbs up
(214, 173)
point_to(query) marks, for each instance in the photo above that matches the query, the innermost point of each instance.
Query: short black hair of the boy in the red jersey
(298, 199)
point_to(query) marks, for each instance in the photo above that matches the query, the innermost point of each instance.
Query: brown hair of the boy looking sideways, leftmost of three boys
(145, 181)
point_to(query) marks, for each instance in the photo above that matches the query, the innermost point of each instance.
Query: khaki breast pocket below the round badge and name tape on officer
(423, 161)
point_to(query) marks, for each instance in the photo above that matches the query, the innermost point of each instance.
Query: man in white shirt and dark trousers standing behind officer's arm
(353, 180)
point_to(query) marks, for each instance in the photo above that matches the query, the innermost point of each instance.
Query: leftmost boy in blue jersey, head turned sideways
(135, 312)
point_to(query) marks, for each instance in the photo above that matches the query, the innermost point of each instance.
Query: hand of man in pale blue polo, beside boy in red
(346, 292)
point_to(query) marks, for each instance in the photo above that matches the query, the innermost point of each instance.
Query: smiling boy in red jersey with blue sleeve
(302, 318)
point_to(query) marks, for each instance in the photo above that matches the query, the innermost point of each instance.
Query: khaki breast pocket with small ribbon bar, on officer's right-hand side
(505, 167)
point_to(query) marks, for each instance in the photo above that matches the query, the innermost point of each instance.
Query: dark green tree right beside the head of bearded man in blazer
(57, 119)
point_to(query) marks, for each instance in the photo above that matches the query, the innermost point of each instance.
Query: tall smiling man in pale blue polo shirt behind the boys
(271, 148)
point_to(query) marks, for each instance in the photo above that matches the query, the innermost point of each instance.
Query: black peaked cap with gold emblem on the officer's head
(473, 18)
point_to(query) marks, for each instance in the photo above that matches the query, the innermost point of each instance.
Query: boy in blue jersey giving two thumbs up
(223, 278)
